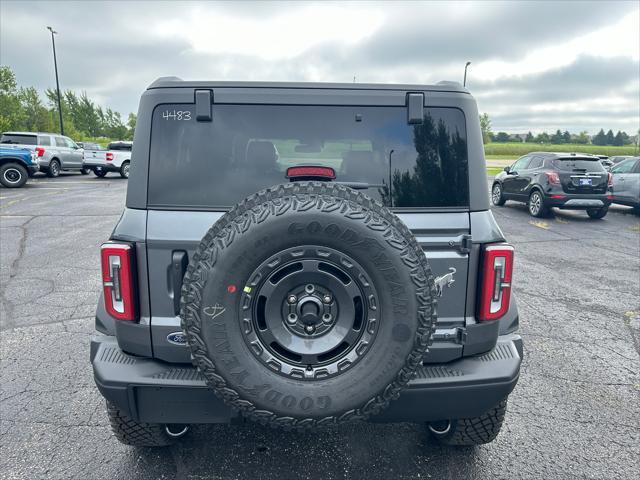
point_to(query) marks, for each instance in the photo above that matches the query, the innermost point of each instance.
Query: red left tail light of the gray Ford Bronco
(118, 280)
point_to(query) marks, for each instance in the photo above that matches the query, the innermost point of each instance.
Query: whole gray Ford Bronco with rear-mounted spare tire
(303, 255)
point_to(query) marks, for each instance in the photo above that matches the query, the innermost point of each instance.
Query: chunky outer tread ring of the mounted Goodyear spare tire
(303, 196)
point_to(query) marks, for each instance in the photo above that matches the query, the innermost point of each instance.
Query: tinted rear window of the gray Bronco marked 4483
(249, 147)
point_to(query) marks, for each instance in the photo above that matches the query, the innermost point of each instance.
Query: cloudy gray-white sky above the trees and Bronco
(538, 65)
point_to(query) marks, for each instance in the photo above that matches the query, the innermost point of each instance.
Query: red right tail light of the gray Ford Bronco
(495, 290)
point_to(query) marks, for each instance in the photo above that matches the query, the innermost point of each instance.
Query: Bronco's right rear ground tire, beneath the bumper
(470, 431)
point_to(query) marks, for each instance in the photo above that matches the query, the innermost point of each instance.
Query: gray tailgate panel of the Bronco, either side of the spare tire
(173, 236)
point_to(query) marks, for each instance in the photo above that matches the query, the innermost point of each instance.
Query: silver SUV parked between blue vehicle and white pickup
(54, 152)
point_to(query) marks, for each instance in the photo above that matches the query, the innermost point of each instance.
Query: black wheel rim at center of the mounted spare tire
(309, 312)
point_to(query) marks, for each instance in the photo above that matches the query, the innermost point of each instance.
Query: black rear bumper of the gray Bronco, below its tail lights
(157, 392)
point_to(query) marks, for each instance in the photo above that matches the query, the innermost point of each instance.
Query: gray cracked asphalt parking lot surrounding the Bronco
(574, 414)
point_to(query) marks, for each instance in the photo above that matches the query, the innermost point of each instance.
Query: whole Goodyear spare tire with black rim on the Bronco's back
(308, 304)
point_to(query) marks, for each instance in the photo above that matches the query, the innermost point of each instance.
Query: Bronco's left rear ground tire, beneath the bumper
(138, 434)
